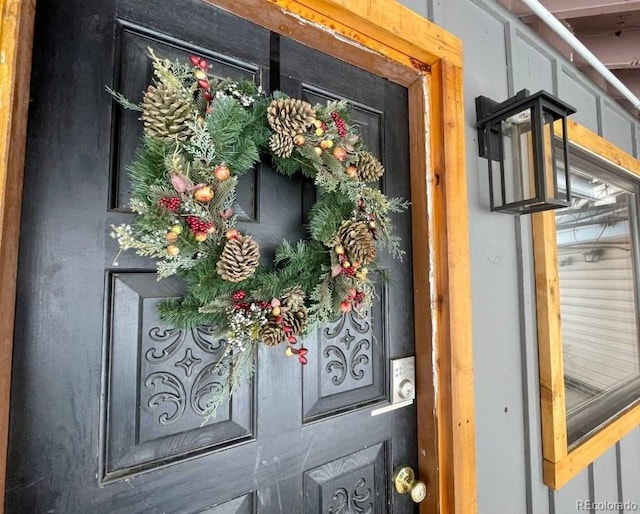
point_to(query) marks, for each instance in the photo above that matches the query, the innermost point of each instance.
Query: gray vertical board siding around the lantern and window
(502, 56)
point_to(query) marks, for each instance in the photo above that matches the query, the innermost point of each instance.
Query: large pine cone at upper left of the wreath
(165, 113)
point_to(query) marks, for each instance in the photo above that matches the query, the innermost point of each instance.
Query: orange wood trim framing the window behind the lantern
(561, 464)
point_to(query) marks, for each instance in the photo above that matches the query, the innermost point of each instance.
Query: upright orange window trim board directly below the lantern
(552, 398)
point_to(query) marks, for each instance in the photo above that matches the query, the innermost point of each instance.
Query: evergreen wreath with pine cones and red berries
(200, 135)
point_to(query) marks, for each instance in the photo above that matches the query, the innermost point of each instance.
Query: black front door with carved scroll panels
(107, 402)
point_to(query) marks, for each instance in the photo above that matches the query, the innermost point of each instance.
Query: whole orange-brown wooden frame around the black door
(387, 39)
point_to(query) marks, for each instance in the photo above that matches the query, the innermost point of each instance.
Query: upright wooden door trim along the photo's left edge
(16, 33)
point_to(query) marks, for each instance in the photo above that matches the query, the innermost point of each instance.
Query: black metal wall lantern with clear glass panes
(528, 161)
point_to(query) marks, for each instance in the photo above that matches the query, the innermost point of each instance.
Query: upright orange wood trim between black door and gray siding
(452, 299)
